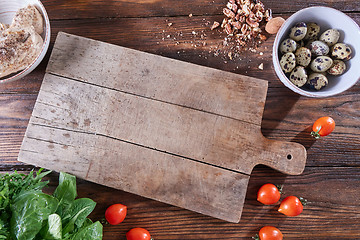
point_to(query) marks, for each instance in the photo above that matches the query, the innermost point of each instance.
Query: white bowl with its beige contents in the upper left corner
(24, 37)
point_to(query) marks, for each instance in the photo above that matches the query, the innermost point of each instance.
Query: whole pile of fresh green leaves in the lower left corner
(27, 213)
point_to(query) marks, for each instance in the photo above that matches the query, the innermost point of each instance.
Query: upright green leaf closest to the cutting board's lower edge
(65, 192)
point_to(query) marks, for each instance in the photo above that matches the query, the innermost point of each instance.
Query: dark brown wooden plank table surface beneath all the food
(331, 180)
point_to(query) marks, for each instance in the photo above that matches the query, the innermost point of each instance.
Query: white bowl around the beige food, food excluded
(8, 8)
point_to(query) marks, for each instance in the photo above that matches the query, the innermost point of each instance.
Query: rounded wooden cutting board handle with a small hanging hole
(286, 157)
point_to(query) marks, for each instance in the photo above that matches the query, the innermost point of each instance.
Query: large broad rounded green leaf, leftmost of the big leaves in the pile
(29, 210)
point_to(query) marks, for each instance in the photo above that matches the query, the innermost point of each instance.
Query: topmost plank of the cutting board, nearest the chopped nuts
(159, 78)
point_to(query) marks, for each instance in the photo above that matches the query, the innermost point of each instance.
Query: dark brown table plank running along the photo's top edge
(65, 9)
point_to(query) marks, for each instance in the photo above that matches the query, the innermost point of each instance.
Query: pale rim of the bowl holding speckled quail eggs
(284, 79)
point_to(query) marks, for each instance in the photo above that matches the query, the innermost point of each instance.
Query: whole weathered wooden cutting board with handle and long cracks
(172, 131)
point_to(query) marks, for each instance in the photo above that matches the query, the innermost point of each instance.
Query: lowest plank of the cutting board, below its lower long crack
(202, 188)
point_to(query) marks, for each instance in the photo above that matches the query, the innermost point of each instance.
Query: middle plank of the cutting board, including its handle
(231, 144)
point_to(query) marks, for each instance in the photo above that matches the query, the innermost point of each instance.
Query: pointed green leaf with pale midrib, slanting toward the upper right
(79, 210)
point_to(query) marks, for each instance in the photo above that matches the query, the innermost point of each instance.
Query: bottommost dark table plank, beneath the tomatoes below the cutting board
(330, 191)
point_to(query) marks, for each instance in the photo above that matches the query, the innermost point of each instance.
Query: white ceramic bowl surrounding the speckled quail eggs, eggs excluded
(349, 33)
